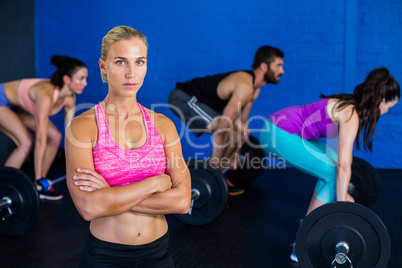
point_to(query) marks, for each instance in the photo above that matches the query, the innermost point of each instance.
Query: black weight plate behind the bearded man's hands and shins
(253, 165)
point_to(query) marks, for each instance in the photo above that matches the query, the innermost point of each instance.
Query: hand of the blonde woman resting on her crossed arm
(89, 180)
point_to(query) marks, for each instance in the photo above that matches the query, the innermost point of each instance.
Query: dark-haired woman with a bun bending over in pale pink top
(26, 104)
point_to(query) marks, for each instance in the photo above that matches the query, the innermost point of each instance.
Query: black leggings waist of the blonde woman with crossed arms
(98, 253)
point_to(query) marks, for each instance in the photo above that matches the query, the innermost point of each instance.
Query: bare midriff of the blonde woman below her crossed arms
(129, 228)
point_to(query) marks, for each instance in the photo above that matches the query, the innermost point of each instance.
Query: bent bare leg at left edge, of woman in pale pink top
(13, 128)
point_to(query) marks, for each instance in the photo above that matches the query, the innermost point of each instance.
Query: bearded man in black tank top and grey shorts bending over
(220, 105)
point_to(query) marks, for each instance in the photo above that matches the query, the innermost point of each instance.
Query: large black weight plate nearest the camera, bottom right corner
(348, 222)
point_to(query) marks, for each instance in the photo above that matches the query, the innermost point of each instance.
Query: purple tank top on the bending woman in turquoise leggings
(310, 121)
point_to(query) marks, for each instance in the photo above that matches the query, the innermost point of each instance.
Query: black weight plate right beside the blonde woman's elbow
(213, 189)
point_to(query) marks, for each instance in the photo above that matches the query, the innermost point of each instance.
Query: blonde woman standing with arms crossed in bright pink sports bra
(125, 168)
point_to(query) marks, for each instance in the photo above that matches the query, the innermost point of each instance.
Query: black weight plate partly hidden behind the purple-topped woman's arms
(366, 183)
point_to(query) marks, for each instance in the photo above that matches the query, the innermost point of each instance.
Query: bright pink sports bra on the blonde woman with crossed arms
(120, 166)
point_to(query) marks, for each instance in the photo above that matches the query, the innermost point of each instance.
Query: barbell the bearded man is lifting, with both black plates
(209, 193)
